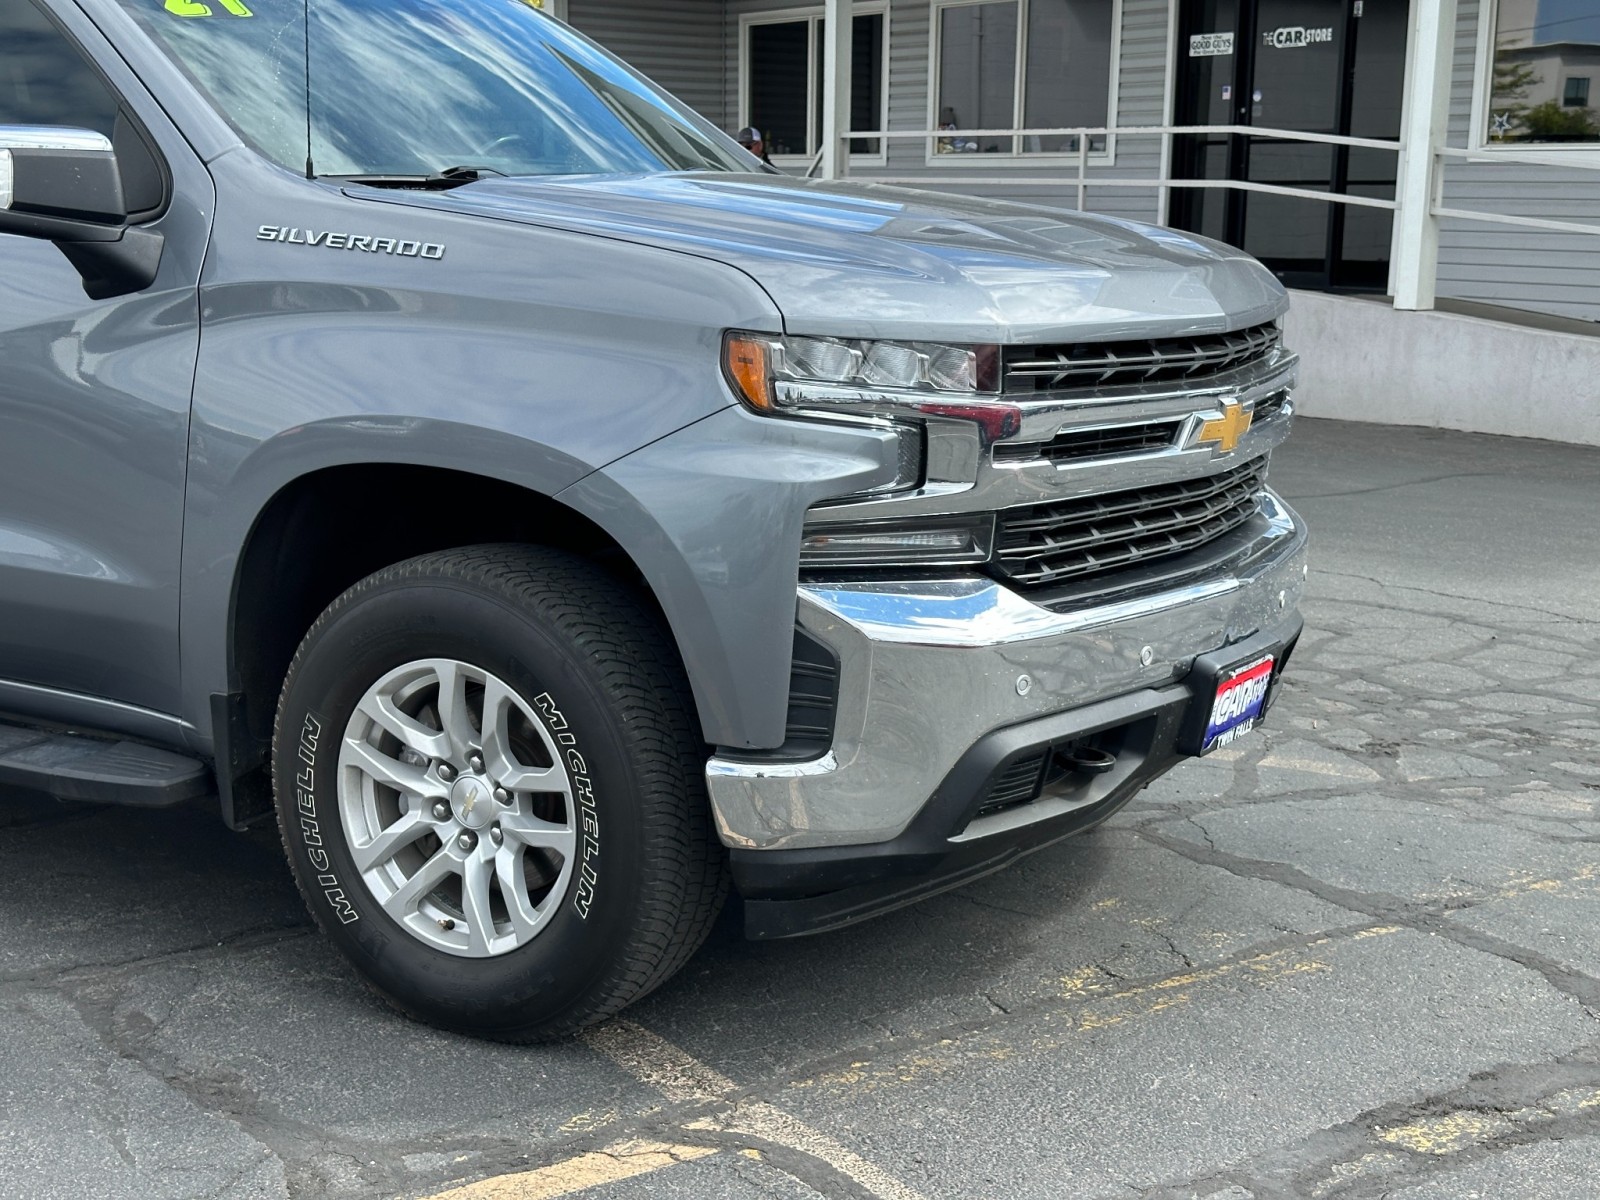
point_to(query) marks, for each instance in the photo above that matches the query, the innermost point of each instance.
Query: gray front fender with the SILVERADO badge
(524, 354)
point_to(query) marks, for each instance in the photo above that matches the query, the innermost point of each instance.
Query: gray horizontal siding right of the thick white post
(1500, 265)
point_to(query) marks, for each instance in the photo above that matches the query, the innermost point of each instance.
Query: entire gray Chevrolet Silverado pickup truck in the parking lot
(418, 426)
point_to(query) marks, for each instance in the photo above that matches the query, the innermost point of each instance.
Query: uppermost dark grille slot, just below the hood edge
(1036, 369)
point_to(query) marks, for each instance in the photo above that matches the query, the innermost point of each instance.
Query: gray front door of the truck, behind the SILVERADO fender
(94, 415)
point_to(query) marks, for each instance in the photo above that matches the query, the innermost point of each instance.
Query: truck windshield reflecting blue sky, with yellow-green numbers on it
(415, 87)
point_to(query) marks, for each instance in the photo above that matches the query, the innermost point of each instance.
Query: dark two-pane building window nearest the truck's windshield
(783, 81)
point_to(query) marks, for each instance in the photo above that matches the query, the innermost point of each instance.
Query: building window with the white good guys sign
(1036, 65)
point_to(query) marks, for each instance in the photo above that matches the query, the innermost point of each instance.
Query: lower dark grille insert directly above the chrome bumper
(1052, 543)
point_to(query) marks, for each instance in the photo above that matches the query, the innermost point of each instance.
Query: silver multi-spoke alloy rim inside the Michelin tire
(457, 807)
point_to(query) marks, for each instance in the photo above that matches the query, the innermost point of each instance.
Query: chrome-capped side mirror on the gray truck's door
(65, 186)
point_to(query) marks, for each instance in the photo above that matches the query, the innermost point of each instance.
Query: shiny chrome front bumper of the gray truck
(929, 668)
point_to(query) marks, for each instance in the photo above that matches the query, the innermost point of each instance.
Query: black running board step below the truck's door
(102, 770)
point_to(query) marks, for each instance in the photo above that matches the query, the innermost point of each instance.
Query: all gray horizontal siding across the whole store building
(692, 49)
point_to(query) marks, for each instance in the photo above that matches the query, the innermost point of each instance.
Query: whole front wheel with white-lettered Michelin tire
(492, 794)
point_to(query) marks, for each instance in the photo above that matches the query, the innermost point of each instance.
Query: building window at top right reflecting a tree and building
(1543, 58)
